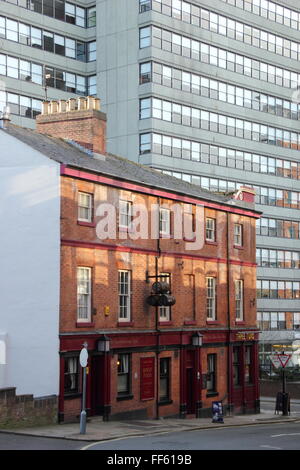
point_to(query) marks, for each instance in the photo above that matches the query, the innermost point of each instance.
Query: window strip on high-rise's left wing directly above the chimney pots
(43, 75)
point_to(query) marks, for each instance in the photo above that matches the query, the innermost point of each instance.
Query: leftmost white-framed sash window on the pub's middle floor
(84, 294)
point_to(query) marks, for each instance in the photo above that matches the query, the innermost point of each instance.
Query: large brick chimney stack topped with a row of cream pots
(77, 119)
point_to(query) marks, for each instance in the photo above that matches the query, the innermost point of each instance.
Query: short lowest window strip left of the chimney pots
(20, 105)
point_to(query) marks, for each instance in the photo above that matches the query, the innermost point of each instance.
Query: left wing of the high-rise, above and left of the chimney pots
(47, 51)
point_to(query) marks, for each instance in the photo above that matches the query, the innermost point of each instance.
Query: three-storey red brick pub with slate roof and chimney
(145, 360)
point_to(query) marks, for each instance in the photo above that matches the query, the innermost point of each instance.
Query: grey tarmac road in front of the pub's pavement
(279, 436)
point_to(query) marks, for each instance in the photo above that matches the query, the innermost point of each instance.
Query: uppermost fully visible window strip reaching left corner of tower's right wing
(184, 46)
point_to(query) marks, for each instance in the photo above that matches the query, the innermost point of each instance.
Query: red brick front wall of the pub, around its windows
(185, 272)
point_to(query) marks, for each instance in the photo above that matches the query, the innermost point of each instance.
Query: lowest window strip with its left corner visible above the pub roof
(215, 155)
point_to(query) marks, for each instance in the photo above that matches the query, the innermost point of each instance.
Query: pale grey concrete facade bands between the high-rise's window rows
(117, 67)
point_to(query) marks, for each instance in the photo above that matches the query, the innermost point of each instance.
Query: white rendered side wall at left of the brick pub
(29, 269)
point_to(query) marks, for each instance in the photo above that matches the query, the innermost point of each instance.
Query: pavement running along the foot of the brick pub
(98, 430)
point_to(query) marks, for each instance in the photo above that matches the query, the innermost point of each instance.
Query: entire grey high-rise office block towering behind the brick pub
(202, 90)
